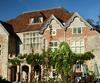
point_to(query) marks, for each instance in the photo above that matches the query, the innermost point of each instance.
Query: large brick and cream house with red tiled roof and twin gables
(39, 29)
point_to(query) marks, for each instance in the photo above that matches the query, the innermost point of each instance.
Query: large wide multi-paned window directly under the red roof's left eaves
(32, 40)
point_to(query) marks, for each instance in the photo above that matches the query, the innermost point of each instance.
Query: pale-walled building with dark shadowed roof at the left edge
(8, 46)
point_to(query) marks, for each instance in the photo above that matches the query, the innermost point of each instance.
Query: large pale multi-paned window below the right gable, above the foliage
(77, 46)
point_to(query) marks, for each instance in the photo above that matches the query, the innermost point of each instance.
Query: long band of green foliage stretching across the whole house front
(63, 59)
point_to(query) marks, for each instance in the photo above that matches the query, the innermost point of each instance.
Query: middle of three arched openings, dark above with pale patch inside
(25, 71)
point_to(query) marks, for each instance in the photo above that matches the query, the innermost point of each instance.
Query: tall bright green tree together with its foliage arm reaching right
(65, 59)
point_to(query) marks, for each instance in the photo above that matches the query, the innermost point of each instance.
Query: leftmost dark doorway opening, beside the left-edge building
(13, 71)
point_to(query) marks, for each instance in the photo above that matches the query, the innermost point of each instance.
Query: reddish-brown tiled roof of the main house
(21, 22)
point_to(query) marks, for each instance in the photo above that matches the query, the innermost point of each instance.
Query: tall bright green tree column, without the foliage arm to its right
(61, 57)
